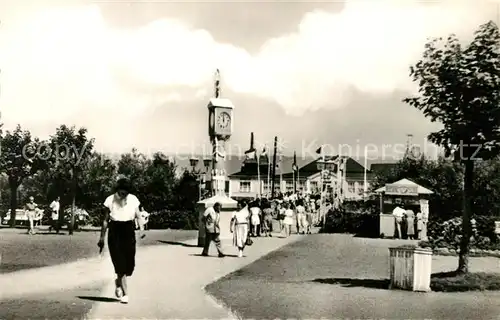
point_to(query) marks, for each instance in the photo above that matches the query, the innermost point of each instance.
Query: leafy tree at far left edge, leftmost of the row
(19, 158)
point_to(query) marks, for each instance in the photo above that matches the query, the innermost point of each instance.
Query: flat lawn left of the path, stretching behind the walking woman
(21, 251)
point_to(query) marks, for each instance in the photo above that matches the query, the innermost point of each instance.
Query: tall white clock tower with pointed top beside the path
(220, 129)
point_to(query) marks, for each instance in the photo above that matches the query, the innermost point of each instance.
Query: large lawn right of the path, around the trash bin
(338, 276)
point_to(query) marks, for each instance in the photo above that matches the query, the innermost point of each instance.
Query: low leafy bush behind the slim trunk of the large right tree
(448, 234)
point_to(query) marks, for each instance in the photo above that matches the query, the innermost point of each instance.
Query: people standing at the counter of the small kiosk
(407, 223)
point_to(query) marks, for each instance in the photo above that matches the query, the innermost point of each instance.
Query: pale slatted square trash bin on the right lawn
(410, 268)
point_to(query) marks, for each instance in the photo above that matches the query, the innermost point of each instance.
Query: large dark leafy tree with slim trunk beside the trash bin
(459, 86)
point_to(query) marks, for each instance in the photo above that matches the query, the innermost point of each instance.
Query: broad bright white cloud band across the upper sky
(60, 61)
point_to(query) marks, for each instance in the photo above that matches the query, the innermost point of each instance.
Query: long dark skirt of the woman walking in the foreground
(121, 244)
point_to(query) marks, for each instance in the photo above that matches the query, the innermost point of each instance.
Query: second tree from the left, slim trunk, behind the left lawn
(71, 152)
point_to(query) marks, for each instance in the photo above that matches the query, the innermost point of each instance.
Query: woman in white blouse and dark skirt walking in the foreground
(122, 210)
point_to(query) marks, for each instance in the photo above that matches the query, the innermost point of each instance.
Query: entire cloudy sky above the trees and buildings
(140, 73)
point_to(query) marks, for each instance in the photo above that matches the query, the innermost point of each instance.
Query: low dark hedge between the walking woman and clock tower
(170, 219)
